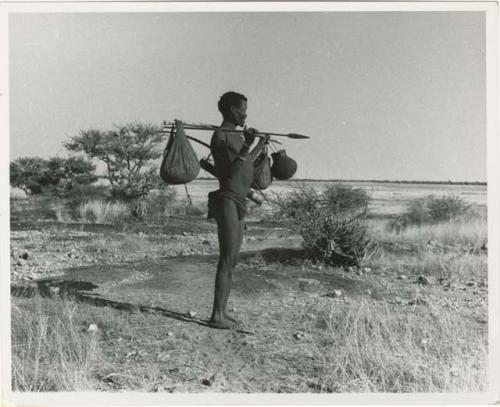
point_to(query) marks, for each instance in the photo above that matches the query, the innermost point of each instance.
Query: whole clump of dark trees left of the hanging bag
(129, 153)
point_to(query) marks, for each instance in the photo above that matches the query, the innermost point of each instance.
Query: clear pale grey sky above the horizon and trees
(382, 95)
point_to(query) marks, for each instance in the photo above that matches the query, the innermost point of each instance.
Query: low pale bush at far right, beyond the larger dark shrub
(431, 209)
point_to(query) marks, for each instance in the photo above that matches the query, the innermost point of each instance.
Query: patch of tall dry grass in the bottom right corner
(378, 348)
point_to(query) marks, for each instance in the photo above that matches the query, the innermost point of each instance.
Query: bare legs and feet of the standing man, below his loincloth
(228, 232)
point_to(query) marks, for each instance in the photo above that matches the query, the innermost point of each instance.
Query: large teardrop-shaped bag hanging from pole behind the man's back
(180, 163)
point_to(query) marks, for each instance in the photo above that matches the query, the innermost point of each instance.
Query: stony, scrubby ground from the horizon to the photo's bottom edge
(106, 300)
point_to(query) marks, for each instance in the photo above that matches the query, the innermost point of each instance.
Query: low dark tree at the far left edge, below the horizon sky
(35, 175)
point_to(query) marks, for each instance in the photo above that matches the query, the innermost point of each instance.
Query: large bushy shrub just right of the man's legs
(332, 223)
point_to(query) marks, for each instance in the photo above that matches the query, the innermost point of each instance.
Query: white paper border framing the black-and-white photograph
(492, 396)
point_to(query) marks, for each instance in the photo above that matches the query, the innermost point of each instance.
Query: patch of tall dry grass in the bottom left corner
(49, 351)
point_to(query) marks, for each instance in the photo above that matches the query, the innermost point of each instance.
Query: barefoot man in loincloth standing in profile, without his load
(234, 169)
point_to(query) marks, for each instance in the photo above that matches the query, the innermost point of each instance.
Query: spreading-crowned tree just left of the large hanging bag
(128, 152)
